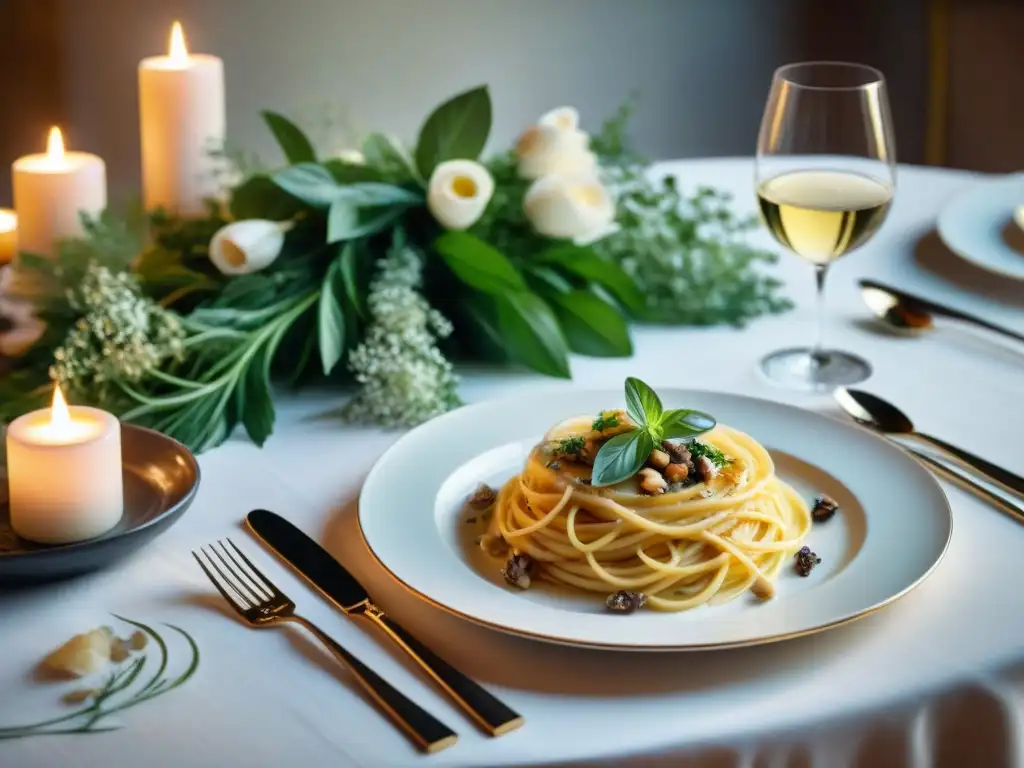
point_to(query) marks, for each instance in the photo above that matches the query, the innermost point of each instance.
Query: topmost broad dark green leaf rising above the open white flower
(457, 130)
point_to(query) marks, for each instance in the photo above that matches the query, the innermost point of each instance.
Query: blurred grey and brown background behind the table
(340, 67)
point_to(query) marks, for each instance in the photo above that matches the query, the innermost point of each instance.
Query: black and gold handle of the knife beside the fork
(489, 712)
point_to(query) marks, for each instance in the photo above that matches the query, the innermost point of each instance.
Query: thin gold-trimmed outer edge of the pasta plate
(651, 648)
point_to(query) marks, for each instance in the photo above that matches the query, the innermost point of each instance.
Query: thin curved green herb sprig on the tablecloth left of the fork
(89, 719)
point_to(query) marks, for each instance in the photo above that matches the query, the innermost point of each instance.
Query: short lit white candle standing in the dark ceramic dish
(64, 474)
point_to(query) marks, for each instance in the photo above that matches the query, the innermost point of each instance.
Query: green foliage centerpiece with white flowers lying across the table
(379, 268)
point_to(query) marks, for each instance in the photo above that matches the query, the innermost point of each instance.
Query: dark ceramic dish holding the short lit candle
(161, 479)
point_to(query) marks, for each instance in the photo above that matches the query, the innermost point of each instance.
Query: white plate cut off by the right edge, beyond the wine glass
(978, 226)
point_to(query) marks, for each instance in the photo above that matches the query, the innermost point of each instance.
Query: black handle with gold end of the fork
(429, 733)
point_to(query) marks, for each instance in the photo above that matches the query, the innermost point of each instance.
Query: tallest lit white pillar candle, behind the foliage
(182, 112)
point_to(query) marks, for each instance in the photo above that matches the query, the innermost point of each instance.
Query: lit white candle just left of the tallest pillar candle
(51, 193)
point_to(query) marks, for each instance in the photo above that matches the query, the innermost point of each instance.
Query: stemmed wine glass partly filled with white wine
(826, 175)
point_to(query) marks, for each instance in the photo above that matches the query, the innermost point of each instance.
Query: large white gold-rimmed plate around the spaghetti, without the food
(892, 530)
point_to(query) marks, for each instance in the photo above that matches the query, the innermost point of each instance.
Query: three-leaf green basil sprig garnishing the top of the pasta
(624, 455)
